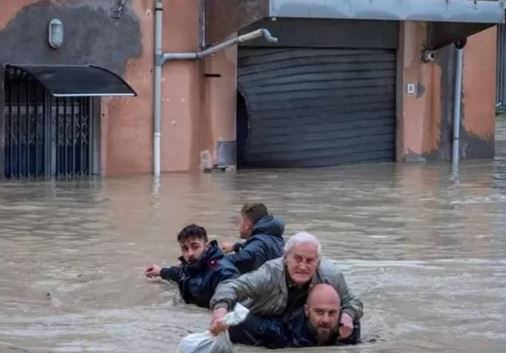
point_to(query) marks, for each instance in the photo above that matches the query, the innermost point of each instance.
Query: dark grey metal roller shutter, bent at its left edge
(318, 107)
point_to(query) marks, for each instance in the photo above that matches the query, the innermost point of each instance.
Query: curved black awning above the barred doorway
(78, 80)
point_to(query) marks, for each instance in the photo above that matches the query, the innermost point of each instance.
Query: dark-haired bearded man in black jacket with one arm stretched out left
(203, 267)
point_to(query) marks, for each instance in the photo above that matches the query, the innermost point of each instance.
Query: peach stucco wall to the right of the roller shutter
(424, 118)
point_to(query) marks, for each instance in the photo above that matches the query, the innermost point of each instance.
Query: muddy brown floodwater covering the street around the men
(424, 249)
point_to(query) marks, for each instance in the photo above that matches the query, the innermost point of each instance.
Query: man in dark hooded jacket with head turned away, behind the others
(264, 238)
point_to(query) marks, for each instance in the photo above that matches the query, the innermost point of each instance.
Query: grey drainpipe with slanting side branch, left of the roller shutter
(161, 59)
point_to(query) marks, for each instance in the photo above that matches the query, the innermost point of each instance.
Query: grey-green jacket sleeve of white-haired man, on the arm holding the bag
(252, 285)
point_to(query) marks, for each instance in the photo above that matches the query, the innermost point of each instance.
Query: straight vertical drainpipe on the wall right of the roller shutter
(457, 102)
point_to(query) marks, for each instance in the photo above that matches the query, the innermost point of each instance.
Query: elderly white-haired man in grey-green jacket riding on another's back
(280, 287)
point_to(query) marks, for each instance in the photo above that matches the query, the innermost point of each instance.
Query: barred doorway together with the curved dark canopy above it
(51, 118)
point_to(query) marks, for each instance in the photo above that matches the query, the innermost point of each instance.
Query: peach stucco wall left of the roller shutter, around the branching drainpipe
(196, 112)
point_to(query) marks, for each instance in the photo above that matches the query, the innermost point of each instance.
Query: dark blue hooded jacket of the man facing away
(265, 243)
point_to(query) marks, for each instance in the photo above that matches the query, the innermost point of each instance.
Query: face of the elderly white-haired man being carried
(301, 262)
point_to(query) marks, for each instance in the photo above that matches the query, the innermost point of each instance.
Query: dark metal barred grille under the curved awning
(45, 136)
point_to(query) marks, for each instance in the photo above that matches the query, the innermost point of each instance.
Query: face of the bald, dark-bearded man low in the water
(323, 316)
